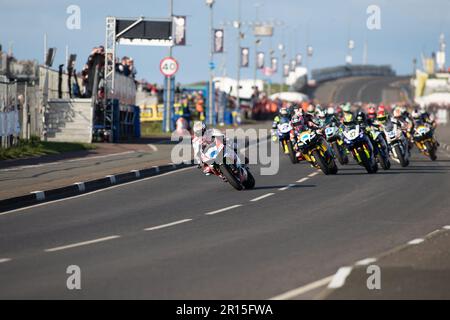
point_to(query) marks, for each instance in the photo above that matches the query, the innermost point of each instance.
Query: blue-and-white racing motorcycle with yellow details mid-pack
(358, 143)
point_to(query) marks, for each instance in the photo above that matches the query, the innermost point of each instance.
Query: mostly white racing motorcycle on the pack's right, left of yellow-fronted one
(397, 142)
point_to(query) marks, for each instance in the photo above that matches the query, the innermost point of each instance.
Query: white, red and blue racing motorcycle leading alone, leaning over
(225, 163)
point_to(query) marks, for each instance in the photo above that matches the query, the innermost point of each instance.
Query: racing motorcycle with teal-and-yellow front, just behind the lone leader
(316, 151)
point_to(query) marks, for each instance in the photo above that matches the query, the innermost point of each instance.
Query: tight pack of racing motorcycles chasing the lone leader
(369, 146)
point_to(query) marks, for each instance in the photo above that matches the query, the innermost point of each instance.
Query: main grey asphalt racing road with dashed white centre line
(255, 250)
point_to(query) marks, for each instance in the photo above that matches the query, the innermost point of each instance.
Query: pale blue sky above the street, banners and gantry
(408, 27)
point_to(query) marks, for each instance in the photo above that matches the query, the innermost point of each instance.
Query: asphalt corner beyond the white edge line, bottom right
(419, 270)
